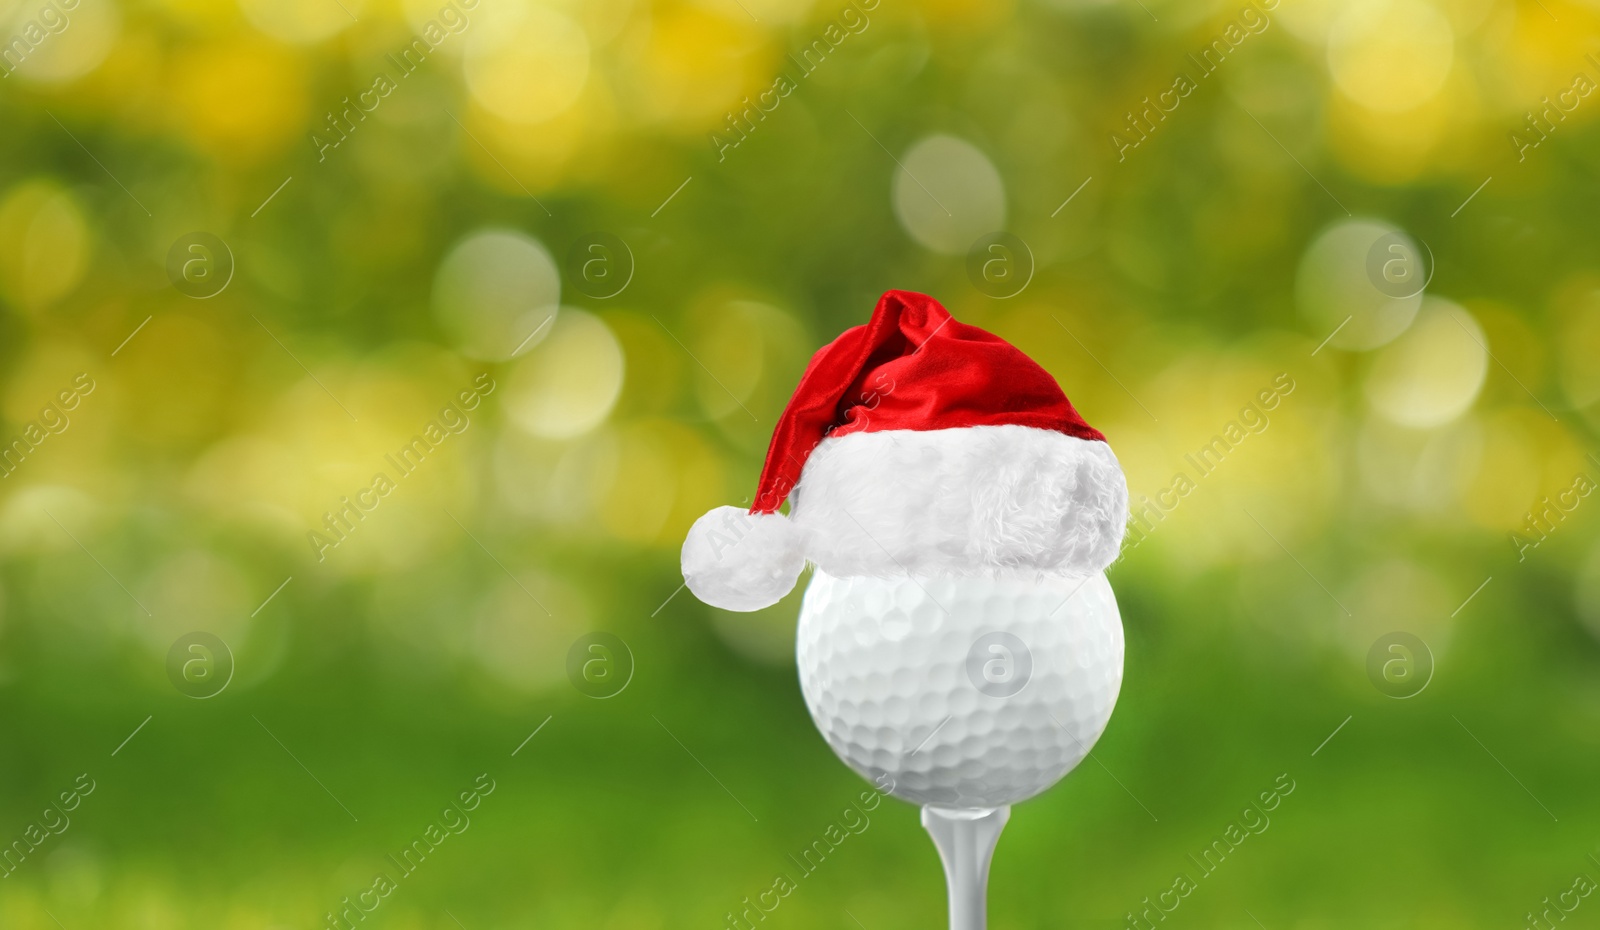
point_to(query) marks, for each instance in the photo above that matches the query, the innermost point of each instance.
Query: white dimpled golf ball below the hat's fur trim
(966, 692)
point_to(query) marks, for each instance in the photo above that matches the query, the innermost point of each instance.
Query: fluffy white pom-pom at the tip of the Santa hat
(742, 561)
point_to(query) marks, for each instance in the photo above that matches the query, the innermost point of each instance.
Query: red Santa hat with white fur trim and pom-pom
(918, 446)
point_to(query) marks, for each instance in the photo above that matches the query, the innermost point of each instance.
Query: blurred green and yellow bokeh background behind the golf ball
(1343, 193)
